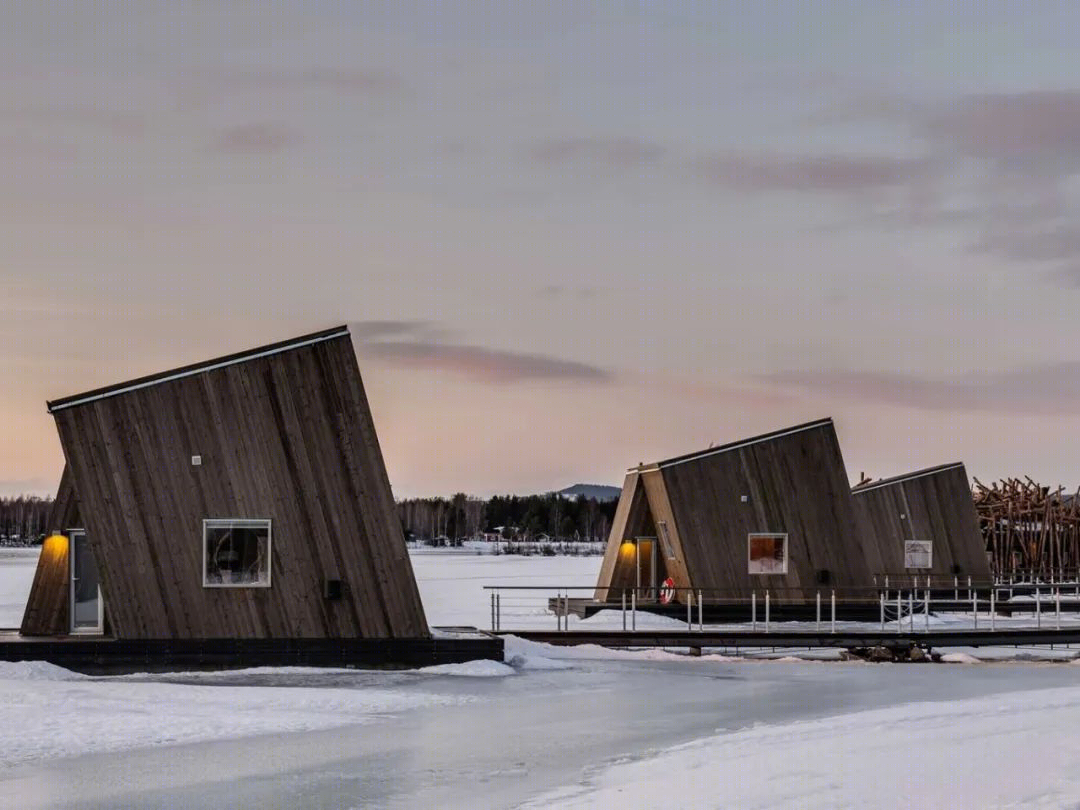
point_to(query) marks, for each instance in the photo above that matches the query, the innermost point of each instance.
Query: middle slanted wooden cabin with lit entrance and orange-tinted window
(773, 512)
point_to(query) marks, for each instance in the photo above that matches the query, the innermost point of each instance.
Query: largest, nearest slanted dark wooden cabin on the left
(245, 497)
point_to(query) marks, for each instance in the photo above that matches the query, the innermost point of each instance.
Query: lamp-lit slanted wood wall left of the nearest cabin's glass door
(47, 607)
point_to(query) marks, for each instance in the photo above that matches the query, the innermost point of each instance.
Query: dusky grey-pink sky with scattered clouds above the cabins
(569, 237)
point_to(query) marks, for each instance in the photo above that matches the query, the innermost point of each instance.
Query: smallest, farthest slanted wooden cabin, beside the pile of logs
(924, 523)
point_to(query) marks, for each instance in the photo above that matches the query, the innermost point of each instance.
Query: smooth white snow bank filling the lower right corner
(1016, 750)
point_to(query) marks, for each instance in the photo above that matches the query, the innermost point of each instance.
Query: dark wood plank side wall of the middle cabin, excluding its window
(794, 483)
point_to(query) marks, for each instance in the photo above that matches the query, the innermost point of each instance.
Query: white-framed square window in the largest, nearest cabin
(236, 553)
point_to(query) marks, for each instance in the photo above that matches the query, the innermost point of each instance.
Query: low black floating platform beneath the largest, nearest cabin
(104, 656)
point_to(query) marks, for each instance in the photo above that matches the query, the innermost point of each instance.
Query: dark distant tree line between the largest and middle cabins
(511, 517)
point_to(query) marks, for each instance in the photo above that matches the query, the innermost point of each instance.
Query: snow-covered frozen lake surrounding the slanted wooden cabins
(591, 730)
